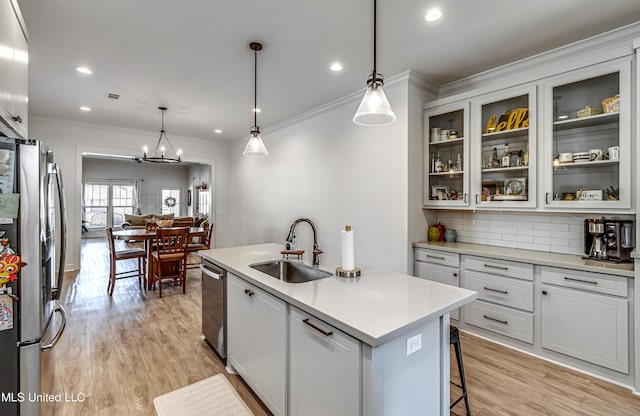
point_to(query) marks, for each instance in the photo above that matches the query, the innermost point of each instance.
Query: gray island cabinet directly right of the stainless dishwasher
(257, 341)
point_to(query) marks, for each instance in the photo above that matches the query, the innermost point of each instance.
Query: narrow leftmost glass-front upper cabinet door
(446, 150)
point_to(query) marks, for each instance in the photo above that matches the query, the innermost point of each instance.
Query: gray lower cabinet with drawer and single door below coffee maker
(583, 320)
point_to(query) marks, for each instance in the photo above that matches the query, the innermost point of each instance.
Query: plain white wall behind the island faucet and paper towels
(323, 166)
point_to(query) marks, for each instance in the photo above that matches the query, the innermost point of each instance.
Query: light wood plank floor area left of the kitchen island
(122, 351)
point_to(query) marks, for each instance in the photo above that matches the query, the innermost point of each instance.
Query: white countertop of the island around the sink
(375, 308)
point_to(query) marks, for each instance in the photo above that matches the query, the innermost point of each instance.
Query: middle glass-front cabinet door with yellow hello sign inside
(505, 148)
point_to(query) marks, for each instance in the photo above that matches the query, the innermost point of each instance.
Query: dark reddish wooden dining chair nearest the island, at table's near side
(170, 256)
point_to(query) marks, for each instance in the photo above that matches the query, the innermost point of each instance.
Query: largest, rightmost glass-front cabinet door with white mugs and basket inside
(587, 138)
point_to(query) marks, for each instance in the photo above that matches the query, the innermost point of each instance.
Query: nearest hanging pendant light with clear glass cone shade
(374, 109)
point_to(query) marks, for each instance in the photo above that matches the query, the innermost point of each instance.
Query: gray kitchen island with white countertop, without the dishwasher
(397, 324)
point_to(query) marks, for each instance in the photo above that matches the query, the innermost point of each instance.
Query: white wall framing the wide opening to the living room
(69, 139)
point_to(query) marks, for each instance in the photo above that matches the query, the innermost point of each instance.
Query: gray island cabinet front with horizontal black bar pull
(324, 368)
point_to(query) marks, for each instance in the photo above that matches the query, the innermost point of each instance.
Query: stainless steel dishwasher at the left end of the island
(214, 311)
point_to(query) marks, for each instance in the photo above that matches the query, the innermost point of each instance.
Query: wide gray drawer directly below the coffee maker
(593, 282)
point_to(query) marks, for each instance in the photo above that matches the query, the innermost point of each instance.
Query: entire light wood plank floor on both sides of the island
(123, 351)
